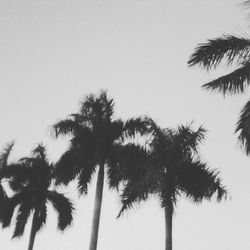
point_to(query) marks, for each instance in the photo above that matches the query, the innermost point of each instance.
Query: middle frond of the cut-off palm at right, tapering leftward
(232, 83)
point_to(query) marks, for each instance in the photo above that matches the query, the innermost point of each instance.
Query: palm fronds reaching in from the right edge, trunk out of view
(235, 52)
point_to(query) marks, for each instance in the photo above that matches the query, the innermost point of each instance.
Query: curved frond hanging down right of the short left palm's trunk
(64, 208)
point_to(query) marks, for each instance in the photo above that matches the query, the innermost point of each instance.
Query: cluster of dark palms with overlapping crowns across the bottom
(166, 166)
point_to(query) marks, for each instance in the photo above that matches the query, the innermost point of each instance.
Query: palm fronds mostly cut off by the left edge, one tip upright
(3, 163)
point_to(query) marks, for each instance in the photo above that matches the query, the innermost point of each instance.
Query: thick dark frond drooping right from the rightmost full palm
(199, 182)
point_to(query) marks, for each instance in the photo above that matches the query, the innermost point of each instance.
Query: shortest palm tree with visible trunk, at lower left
(30, 179)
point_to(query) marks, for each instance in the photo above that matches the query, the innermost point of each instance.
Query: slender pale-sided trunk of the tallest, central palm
(97, 208)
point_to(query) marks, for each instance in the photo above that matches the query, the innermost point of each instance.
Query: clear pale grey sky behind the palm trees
(53, 52)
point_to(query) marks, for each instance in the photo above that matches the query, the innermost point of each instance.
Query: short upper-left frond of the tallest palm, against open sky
(65, 127)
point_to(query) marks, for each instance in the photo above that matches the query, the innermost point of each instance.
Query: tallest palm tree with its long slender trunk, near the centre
(95, 135)
